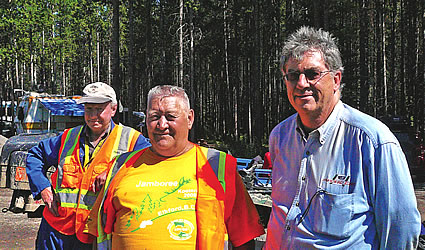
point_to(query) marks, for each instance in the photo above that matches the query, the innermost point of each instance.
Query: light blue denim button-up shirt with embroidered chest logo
(344, 185)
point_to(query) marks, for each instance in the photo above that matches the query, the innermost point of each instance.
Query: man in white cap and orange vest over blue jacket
(81, 156)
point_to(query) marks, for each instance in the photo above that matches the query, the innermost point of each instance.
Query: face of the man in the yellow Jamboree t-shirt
(168, 123)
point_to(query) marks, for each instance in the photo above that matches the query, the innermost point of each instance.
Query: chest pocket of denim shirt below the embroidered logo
(331, 214)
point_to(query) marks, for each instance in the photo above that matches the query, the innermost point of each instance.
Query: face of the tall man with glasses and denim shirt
(313, 98)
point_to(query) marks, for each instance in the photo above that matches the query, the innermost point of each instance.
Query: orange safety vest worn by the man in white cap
(71, 182)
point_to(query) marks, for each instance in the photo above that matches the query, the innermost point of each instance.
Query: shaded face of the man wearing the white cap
(98, 116)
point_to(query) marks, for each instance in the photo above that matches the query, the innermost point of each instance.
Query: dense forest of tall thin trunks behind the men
(224, 53)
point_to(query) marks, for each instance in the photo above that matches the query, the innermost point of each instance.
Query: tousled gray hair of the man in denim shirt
(311, 39)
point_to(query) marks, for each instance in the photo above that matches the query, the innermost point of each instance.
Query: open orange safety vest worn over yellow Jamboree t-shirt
(211, 198)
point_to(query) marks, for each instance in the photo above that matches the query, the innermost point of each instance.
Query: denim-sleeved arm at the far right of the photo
(397, 217)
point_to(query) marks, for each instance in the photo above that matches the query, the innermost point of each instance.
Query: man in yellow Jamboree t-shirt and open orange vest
(174, 194)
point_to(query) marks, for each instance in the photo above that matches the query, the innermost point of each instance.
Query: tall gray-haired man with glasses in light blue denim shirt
(340, 178)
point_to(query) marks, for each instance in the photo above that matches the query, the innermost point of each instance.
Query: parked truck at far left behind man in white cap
(38, 116)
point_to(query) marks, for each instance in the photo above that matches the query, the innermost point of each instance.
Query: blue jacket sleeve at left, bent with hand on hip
(39, 159)
